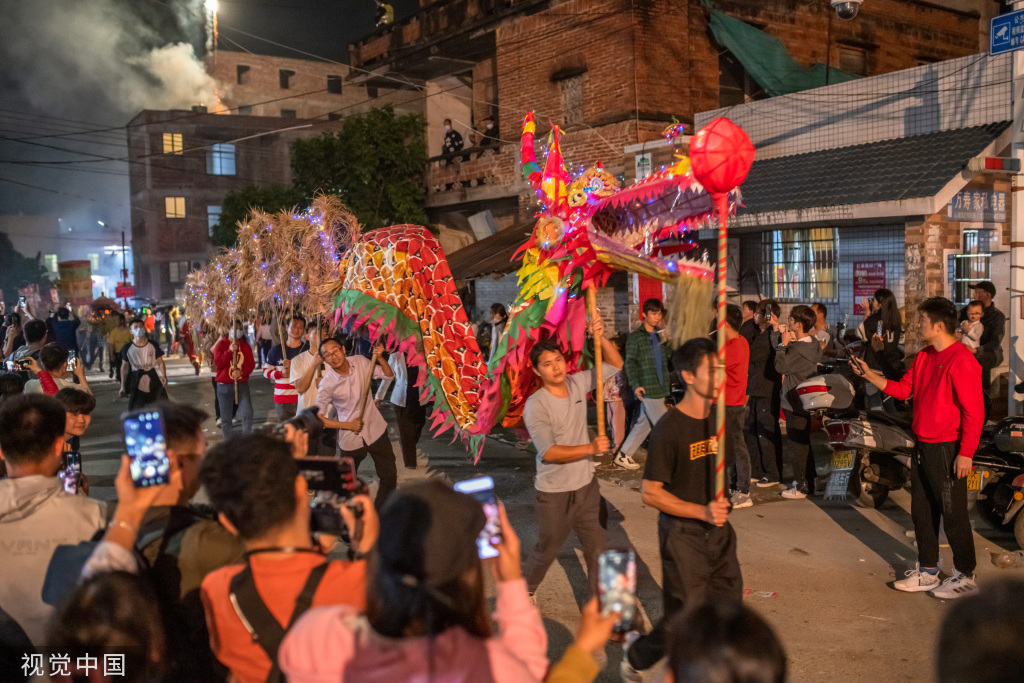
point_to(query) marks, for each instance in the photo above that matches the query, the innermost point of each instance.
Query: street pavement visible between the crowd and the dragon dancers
(818, 571)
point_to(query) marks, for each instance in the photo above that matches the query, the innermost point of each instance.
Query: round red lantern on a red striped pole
(721, 155)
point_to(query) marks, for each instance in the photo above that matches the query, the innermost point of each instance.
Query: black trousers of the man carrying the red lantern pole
(699, 563)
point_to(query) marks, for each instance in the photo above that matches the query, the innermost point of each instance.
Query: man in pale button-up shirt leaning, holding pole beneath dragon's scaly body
(344, 387)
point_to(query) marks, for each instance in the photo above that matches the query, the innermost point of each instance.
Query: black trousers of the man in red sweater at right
(937, 494)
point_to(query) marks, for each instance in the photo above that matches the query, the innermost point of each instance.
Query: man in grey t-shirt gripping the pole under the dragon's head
(568, 493)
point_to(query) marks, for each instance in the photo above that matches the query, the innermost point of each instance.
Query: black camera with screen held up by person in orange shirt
(333, 483)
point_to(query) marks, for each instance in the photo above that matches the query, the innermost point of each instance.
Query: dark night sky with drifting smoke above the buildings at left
(77, 71)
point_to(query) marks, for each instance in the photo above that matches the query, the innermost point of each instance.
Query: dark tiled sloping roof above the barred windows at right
(890, 170)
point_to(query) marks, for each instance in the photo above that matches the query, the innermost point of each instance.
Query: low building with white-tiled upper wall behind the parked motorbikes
(866, 185)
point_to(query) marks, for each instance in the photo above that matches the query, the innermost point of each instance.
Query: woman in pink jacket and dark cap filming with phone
(426, 616)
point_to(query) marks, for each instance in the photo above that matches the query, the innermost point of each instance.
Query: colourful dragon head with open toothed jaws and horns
(604, 227)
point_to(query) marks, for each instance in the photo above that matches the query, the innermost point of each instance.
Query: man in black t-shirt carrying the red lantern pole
(696, 540)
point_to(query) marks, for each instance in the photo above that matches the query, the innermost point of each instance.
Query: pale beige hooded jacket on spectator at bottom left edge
(36, 517)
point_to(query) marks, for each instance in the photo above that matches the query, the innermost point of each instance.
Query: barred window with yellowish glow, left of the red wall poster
(802, 266)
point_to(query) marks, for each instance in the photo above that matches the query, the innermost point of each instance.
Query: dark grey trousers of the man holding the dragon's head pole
(559, 515)
